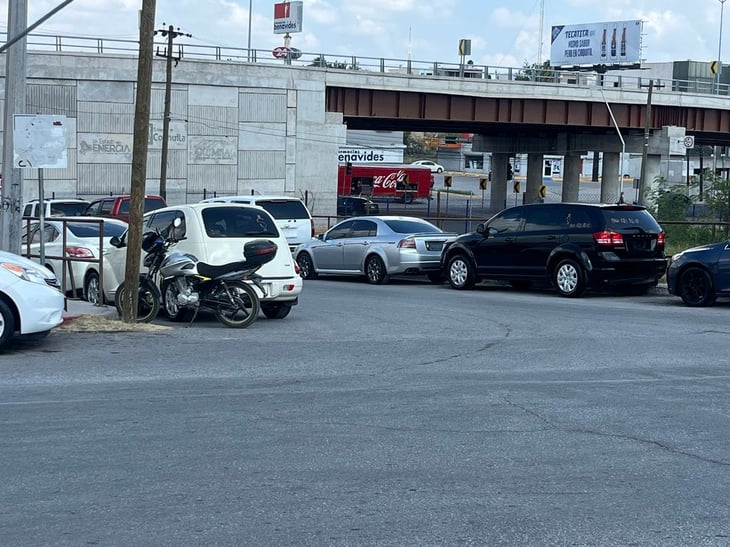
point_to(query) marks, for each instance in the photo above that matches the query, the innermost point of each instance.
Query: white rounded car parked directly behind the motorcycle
(215, 233)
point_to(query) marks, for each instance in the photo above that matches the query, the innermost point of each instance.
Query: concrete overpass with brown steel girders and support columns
(240, 124)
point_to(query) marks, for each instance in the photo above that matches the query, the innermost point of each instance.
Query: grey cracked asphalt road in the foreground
(404, 414)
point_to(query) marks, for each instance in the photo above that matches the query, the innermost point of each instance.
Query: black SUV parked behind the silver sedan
(572, 246)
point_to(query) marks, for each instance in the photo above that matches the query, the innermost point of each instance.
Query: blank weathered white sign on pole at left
(39, 142)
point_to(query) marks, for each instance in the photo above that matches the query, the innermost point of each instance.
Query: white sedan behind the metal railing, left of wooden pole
(82, 242)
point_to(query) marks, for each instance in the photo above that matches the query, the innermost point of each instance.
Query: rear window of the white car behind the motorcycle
(237, 222)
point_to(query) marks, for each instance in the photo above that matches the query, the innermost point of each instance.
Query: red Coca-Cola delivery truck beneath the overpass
(402, 182)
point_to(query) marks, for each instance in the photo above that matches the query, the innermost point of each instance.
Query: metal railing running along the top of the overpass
(392, 66)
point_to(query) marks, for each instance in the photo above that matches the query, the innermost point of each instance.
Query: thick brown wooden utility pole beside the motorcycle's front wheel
(139, 160)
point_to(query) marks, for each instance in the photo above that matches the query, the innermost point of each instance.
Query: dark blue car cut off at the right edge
(701, 274)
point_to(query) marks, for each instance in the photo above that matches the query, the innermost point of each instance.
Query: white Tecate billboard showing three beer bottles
(596, 43)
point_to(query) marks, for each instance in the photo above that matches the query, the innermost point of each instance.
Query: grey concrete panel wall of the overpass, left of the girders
(234, 128)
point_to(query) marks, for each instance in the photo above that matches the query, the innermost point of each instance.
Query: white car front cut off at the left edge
(30, 298)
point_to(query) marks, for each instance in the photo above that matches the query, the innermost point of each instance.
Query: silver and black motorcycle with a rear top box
(189, 285)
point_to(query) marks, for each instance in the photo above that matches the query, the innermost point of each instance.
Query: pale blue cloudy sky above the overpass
(502, 34)
